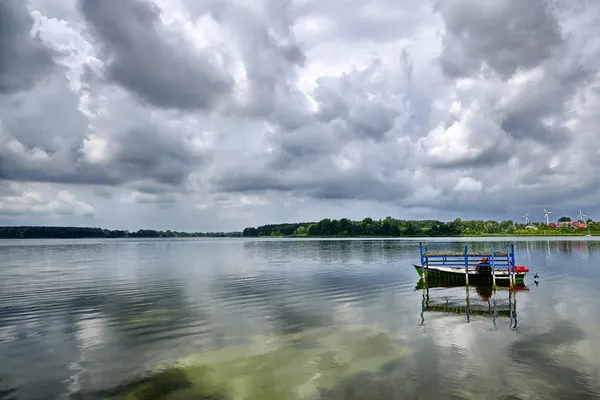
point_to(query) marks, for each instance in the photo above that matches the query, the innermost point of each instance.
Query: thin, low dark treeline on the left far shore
(73, 232)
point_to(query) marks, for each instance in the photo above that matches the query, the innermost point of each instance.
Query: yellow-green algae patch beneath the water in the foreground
(271, 367)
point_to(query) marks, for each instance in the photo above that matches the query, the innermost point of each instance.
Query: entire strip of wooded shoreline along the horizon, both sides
(368, 227)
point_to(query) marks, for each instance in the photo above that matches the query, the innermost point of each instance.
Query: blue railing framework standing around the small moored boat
(469, 260)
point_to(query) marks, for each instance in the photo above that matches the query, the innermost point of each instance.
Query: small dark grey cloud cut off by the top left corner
(23, 58)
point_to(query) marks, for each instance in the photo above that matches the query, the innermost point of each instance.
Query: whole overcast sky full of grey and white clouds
(220, 114)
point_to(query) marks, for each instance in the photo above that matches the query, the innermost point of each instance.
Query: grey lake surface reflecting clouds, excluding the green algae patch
(102, 326)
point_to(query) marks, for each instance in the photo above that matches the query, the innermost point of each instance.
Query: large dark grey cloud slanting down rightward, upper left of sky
(146, 58)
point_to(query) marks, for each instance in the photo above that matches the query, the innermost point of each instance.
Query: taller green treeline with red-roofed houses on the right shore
(395, 227)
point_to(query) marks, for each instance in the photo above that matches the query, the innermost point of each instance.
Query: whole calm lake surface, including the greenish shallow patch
(290, 319)
